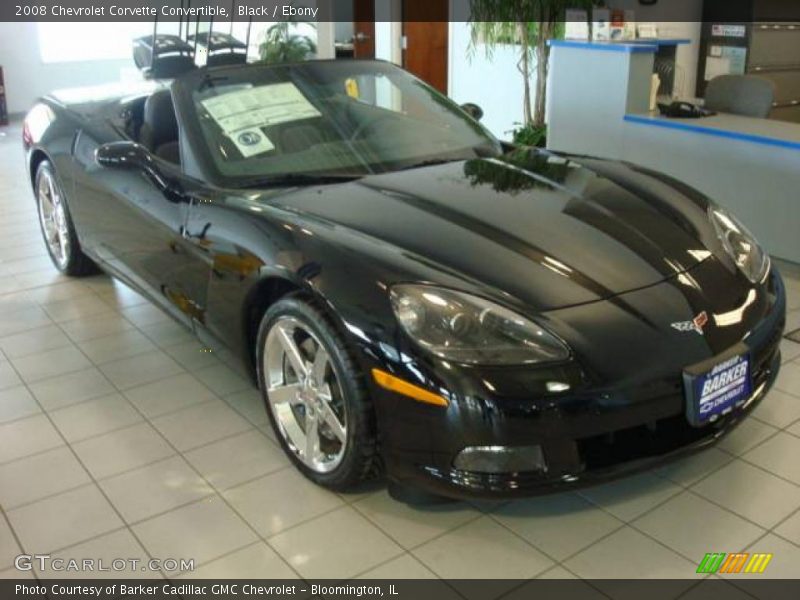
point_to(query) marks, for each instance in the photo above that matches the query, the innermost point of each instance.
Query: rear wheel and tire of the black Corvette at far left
(56, 224)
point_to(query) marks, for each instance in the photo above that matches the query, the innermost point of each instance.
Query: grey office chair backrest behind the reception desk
(745, 95)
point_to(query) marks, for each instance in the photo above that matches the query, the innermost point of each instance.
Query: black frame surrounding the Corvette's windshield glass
(192, 134)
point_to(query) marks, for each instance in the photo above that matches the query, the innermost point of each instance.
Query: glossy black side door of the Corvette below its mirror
(136, 226)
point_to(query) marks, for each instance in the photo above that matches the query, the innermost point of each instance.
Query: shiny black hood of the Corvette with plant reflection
(551, 230)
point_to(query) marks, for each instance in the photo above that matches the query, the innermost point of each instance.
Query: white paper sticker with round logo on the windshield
(243, 114)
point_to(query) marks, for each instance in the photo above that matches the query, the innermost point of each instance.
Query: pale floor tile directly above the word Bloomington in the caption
(318, 549)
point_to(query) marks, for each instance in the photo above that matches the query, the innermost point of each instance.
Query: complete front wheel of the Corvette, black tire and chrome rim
(315, 395)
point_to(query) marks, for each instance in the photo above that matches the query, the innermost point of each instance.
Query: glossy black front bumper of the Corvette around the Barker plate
(601, 433)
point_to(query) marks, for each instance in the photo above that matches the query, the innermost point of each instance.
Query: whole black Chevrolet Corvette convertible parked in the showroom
(414, 297)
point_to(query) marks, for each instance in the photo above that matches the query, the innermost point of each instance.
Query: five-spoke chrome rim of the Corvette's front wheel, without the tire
(304, 395)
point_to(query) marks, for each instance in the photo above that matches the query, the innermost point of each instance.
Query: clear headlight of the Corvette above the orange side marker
(465, 329)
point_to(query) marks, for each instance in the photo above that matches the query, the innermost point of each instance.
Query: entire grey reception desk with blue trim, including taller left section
(598, 105)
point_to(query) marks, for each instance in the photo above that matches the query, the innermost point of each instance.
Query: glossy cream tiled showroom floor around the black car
(119, 438)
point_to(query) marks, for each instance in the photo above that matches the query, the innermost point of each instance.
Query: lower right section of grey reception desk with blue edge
(751, 166)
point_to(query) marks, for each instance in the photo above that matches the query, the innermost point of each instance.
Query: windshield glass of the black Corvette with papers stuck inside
(330, 119)
